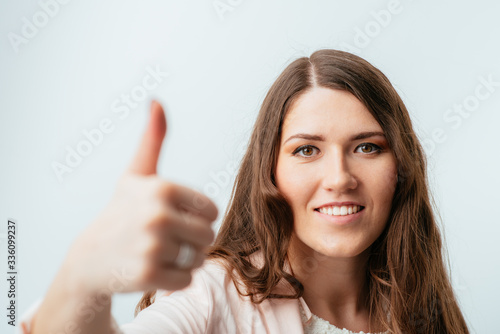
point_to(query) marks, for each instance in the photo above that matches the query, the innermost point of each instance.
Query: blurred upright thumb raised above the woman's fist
(146, 157)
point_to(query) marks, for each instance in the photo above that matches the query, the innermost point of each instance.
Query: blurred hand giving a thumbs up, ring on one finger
(151, 234)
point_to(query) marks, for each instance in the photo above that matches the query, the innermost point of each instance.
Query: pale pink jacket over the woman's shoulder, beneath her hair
(214, 305)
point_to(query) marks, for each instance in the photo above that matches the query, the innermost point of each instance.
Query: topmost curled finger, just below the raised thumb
(189, 200)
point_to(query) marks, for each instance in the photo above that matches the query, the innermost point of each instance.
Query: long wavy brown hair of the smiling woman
(409, 287)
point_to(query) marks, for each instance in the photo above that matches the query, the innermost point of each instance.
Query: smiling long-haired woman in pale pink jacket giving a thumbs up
(330, 226)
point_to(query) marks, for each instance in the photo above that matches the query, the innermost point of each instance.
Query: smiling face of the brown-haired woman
(336, 171)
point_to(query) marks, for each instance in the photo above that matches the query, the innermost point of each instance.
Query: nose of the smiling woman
(337, 174)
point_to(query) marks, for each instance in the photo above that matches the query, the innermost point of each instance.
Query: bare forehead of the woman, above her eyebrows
(329, 111)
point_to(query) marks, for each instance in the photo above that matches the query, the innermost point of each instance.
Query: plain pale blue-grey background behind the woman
(64, 79)
